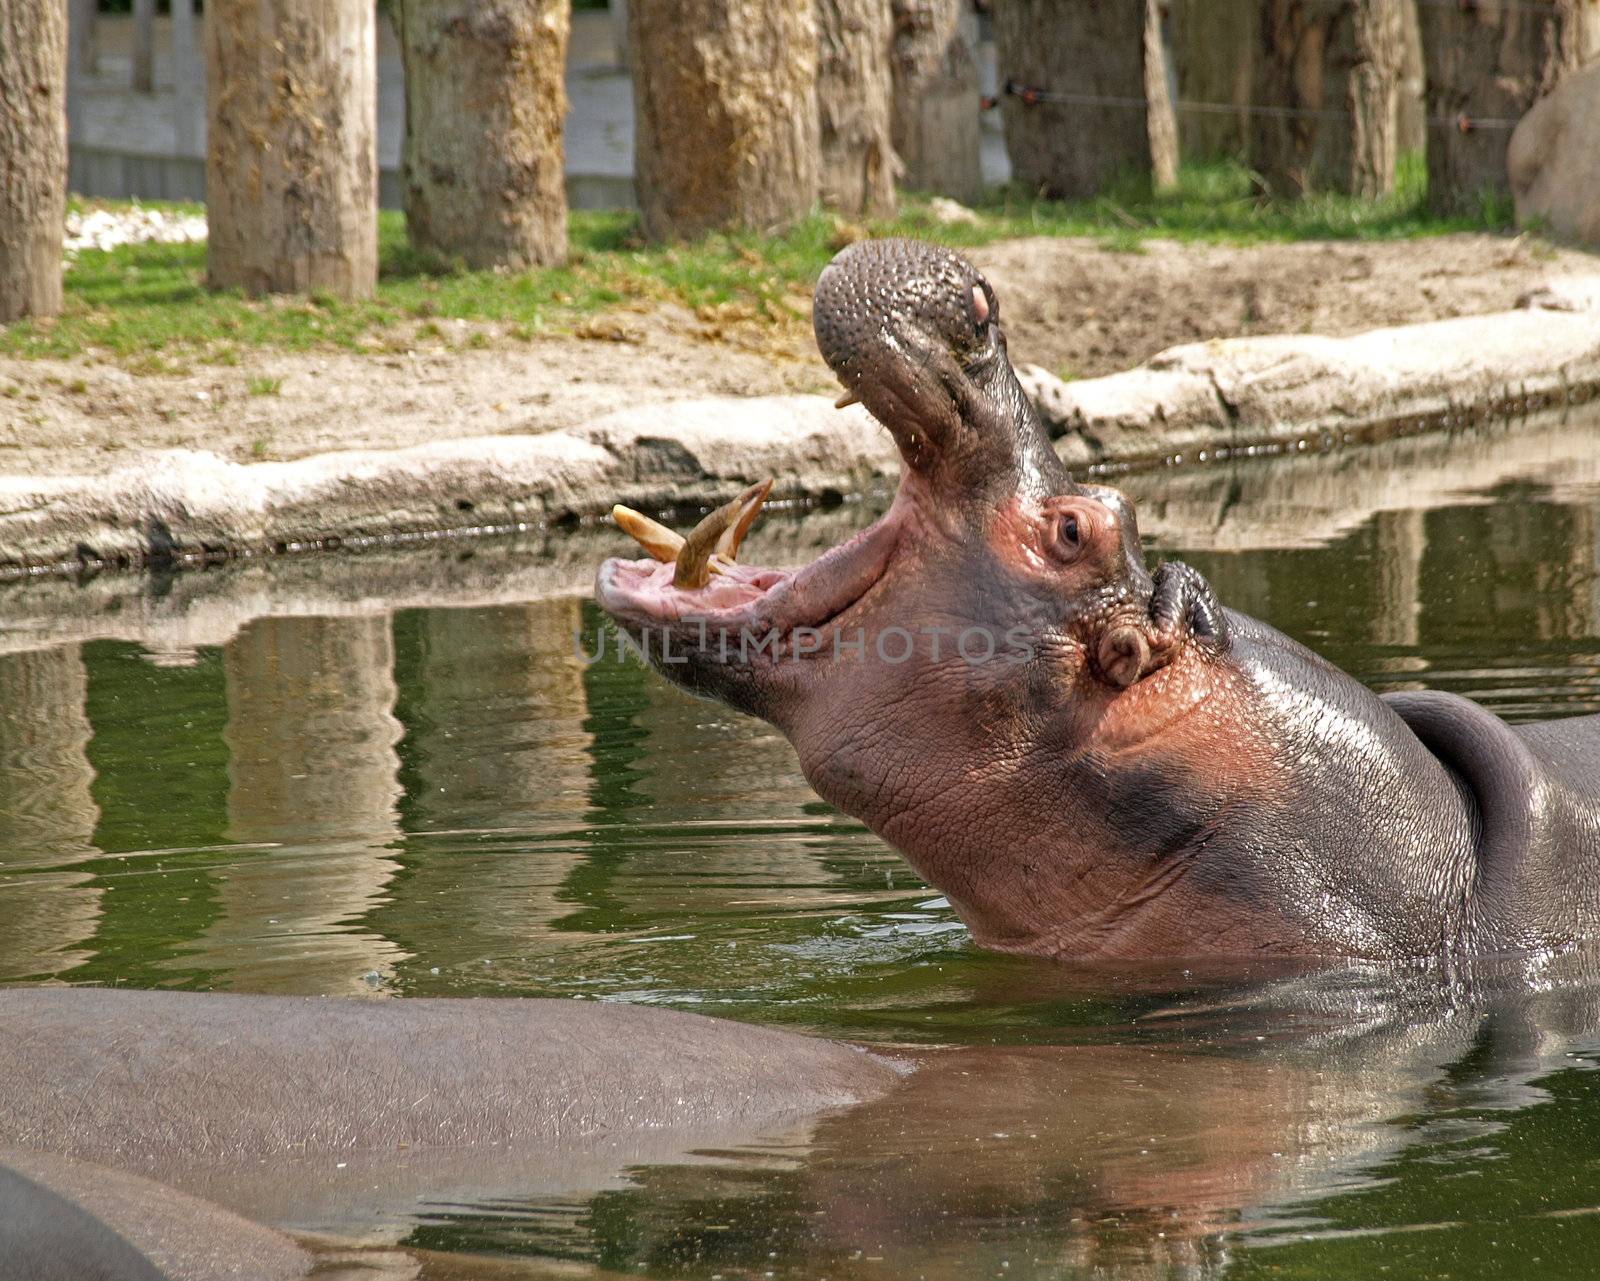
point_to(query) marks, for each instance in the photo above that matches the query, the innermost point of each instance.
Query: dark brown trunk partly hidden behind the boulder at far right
(1487, 65)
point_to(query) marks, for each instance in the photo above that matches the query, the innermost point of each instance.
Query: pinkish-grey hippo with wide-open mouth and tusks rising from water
(1092, 760)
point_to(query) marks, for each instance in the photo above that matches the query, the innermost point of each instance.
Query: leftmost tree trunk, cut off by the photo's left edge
(33, 156)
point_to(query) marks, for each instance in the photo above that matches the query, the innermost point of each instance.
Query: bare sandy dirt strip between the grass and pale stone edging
(1070, 306)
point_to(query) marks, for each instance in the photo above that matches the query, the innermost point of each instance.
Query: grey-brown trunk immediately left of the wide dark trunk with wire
(935, 124)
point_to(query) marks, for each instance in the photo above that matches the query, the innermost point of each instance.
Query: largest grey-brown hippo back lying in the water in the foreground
(142, 1079)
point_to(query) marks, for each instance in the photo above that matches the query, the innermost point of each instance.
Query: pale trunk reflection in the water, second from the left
(313, 773)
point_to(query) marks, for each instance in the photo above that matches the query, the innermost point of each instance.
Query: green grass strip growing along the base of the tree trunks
(148, 308)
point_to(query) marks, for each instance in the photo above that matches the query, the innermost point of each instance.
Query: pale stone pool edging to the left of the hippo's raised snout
(183, 506)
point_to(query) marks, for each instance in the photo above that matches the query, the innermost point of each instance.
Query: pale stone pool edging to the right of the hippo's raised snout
(1281, 391)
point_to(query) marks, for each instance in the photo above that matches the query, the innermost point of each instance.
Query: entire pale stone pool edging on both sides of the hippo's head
(1190, 404)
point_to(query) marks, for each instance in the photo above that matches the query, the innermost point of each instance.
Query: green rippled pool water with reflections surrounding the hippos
(329, 792)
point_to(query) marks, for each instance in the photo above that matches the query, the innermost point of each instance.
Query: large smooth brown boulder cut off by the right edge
(1554, 161)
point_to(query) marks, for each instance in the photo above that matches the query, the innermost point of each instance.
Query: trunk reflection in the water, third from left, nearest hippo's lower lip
(497, 768)
